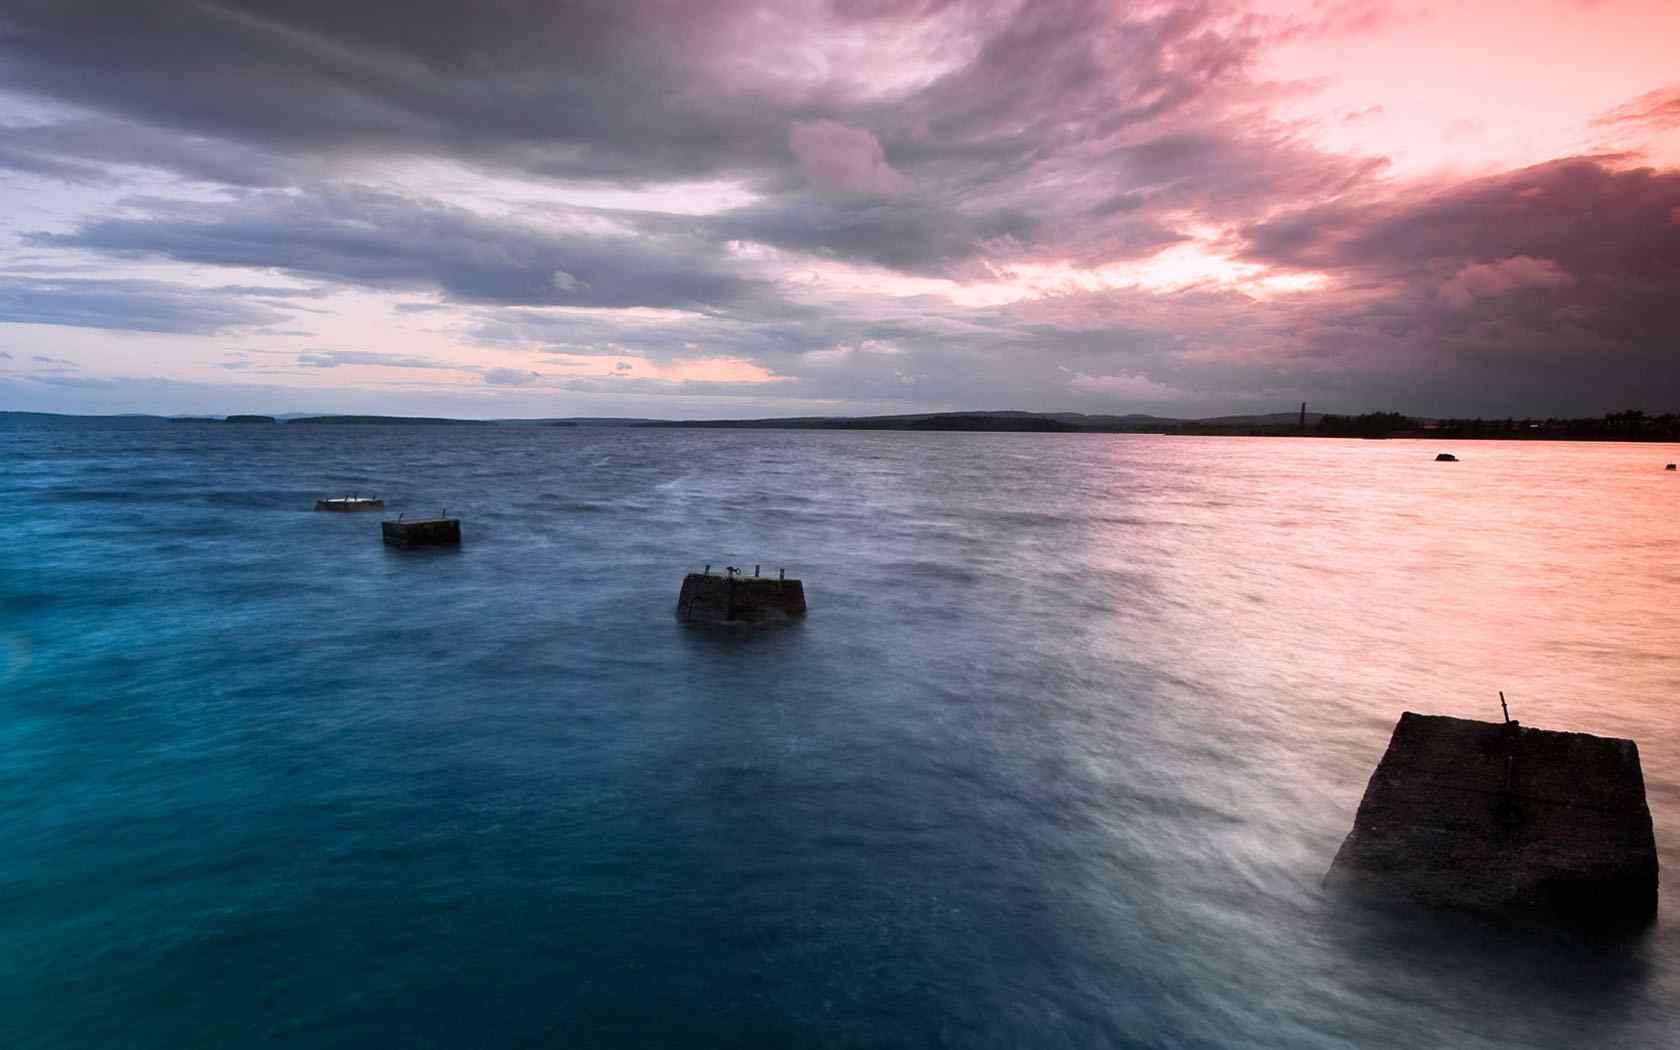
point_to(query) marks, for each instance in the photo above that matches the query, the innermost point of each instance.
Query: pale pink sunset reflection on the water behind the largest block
(1311, 591)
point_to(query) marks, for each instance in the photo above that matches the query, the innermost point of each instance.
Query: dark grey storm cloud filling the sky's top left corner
(589, 88)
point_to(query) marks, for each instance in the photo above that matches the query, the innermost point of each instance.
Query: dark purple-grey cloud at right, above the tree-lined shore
(1548, 286)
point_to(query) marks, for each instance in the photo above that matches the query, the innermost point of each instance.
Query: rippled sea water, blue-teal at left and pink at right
(1058, 759)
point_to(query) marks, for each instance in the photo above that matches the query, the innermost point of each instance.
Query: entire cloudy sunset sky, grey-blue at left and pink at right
(691, 209)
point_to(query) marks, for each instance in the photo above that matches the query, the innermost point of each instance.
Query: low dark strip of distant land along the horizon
(1632, 426)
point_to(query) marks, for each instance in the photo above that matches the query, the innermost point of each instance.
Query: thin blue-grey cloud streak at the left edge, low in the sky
(127, 305)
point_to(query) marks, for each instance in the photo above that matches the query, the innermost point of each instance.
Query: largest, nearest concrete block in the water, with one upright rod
(1504, 819)
